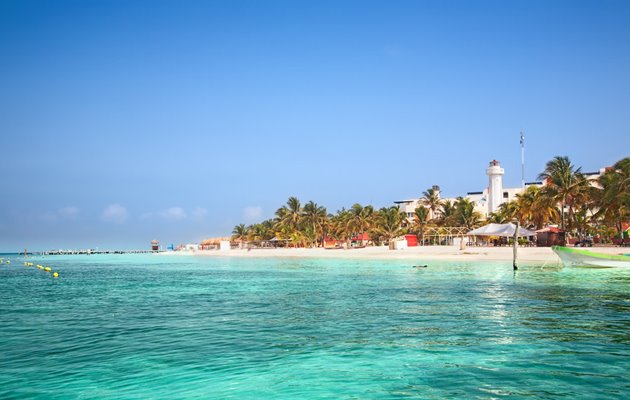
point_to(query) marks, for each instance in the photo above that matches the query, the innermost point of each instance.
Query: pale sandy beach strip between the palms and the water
(445, 253)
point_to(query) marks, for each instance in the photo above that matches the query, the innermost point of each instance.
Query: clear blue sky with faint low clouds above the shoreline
(127, 121)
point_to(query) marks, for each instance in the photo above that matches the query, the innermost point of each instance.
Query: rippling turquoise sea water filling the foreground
(138, 327)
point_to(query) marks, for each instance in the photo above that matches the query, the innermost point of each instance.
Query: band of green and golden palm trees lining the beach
(567, 198)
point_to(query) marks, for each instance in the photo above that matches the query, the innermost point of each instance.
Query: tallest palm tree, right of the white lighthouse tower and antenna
(565, 184)
